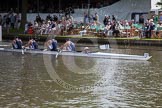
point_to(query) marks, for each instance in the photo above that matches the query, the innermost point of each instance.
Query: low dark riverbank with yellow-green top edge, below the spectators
(90, 39)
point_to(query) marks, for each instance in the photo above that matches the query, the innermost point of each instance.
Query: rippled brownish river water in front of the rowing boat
(35, 80)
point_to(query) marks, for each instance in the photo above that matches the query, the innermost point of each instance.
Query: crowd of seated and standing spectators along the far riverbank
(64, 24)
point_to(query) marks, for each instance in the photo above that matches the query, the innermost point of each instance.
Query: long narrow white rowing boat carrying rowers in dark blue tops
(144, 57)
